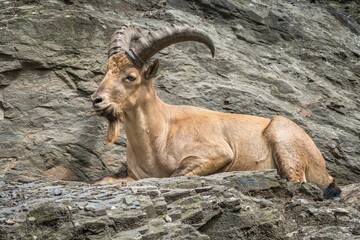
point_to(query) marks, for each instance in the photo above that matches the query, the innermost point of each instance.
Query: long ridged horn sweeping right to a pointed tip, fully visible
(148, 46)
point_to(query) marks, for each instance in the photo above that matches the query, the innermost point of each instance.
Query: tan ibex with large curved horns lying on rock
(167, 140)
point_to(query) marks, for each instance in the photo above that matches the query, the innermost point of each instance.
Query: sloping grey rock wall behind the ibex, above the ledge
(292, 58)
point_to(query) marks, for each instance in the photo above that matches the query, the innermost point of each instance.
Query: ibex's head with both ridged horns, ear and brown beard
(127, 83)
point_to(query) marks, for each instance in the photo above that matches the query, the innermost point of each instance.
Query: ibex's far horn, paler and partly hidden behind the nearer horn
(121, 39)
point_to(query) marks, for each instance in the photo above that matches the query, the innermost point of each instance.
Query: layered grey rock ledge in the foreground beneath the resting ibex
(238, 205)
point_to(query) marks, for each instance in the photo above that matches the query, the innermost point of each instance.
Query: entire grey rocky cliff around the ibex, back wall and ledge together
(299, 59)
